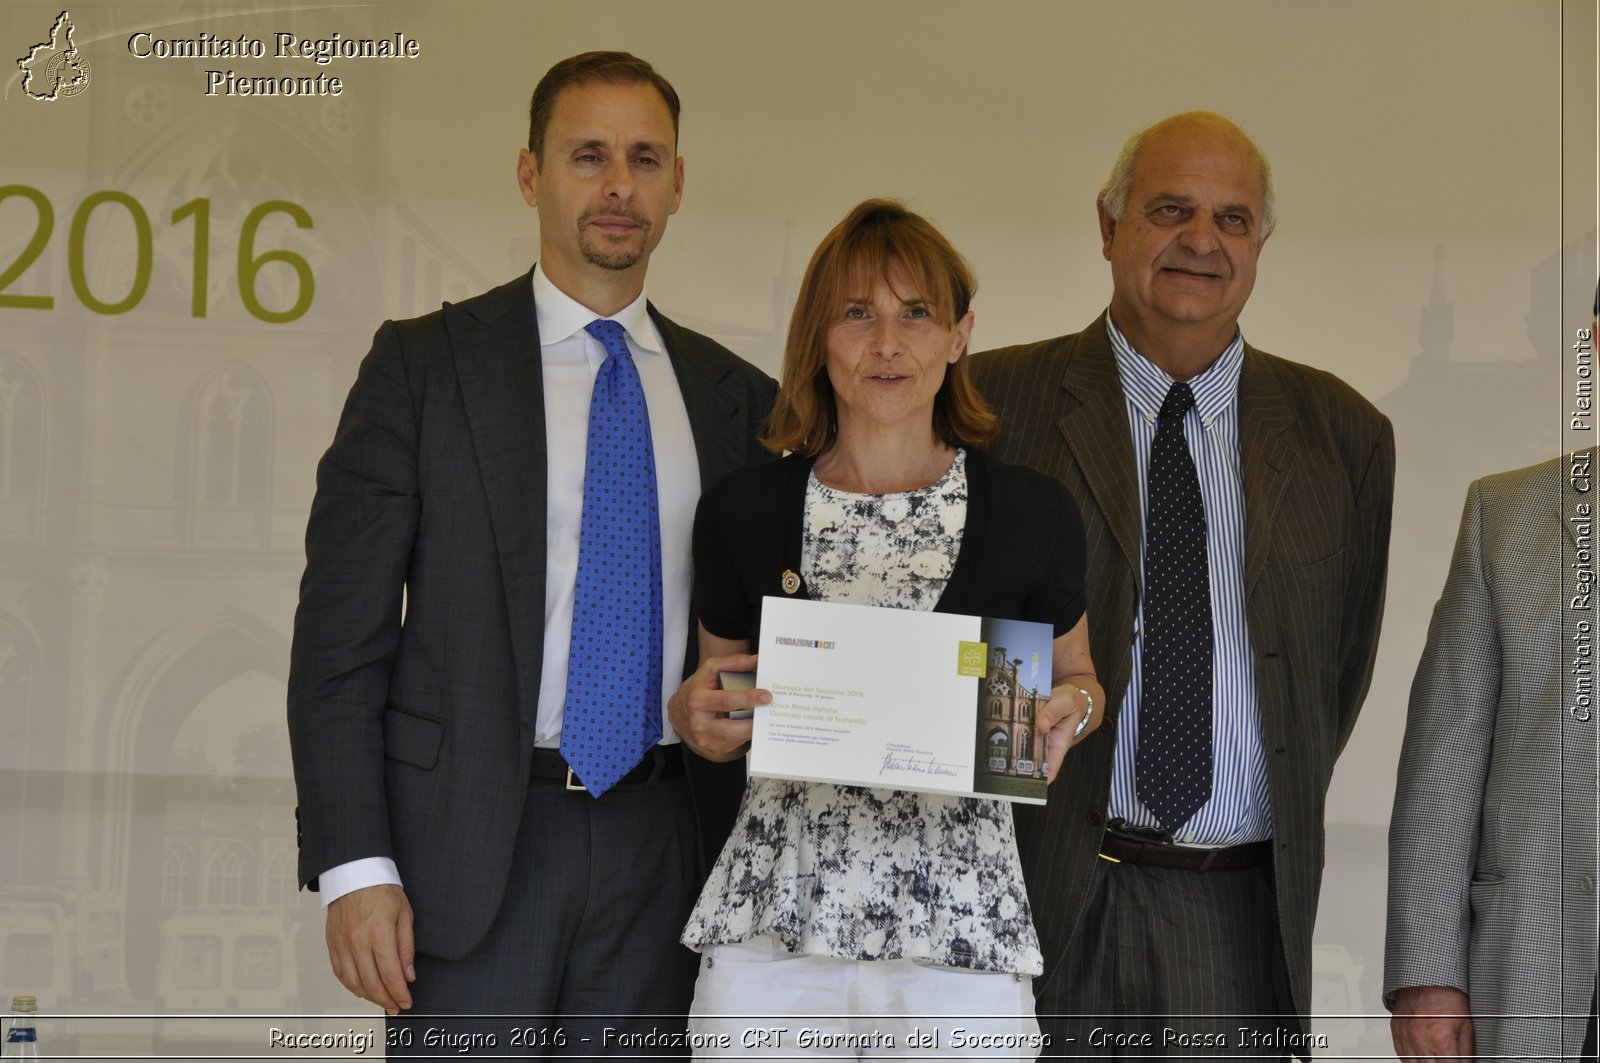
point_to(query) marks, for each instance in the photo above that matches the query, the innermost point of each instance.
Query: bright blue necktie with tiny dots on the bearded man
(614, 675)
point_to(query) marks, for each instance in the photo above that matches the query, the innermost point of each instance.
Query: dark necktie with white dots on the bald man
(1174, 758)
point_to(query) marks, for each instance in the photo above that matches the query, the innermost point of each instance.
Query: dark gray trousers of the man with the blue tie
(585, 957)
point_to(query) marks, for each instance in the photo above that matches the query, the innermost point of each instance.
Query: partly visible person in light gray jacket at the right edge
(1492, 846)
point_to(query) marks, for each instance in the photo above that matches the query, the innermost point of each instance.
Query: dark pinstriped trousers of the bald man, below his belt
(1172, 965)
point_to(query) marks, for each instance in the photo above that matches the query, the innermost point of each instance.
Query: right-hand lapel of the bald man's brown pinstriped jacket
(1266, 457)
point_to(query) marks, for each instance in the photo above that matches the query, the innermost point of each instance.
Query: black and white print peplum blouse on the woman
(874, 873)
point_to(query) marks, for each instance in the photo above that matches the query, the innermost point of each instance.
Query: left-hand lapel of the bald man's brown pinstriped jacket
(1097, 431)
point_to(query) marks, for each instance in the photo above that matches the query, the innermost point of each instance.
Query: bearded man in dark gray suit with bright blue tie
(444, 646)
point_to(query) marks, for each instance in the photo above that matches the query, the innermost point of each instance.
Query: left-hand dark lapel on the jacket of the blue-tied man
(495, 345)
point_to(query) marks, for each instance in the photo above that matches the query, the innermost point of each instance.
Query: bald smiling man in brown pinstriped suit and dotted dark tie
(1236, 511)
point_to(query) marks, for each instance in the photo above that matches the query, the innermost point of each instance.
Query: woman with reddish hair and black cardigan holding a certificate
(849, 905)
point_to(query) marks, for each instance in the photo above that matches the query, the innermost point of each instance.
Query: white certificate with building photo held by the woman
(902, 700)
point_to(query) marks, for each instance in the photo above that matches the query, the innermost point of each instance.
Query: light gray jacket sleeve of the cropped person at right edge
(1444, 764)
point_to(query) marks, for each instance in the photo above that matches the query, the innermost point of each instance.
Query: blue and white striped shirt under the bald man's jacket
(1239, 809)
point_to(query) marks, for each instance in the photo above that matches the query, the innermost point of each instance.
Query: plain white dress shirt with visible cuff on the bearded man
(570, 361)
